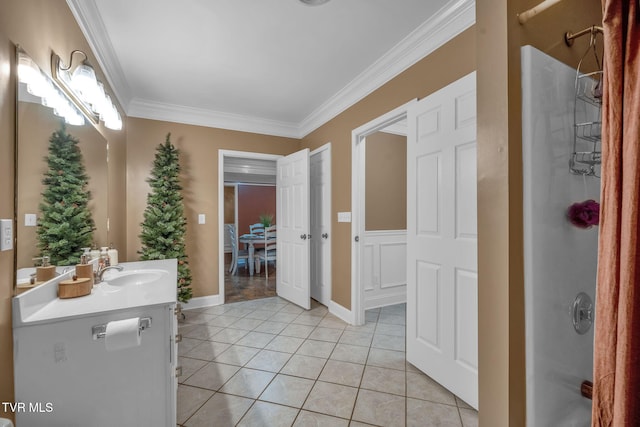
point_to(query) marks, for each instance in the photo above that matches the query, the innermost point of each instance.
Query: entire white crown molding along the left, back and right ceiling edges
(451, 20)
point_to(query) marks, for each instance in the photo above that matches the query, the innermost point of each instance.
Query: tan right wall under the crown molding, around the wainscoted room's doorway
(445, 65)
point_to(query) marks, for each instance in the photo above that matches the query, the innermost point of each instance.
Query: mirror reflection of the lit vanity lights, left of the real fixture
(39, 85)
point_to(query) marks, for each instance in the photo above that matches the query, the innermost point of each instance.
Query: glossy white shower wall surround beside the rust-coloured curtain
(560, 259)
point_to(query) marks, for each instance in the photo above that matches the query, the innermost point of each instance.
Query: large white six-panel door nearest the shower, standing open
(442, 271)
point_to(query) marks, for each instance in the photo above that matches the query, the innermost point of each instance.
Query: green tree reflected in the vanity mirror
(65, 225)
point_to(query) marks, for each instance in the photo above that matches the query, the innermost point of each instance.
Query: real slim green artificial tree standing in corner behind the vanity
(164, 226)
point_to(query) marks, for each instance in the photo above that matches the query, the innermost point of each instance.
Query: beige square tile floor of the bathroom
(267, 362)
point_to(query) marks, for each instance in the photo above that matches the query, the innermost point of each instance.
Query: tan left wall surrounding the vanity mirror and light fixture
(40, 26)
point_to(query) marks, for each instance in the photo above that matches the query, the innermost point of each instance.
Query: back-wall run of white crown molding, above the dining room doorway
(203, 117)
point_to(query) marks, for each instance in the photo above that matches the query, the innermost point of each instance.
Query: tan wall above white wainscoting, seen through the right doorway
(385, 182)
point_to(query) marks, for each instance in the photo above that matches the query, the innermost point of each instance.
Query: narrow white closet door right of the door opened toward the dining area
(320, 226)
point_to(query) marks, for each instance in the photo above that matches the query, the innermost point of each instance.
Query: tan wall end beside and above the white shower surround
(500, 254)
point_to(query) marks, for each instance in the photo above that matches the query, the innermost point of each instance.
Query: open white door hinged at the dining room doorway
(292, 205)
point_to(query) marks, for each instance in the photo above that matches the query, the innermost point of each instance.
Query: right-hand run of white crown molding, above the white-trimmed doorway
(451, 20)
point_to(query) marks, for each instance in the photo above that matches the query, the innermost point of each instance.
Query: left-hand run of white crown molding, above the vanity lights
(88, 18)
